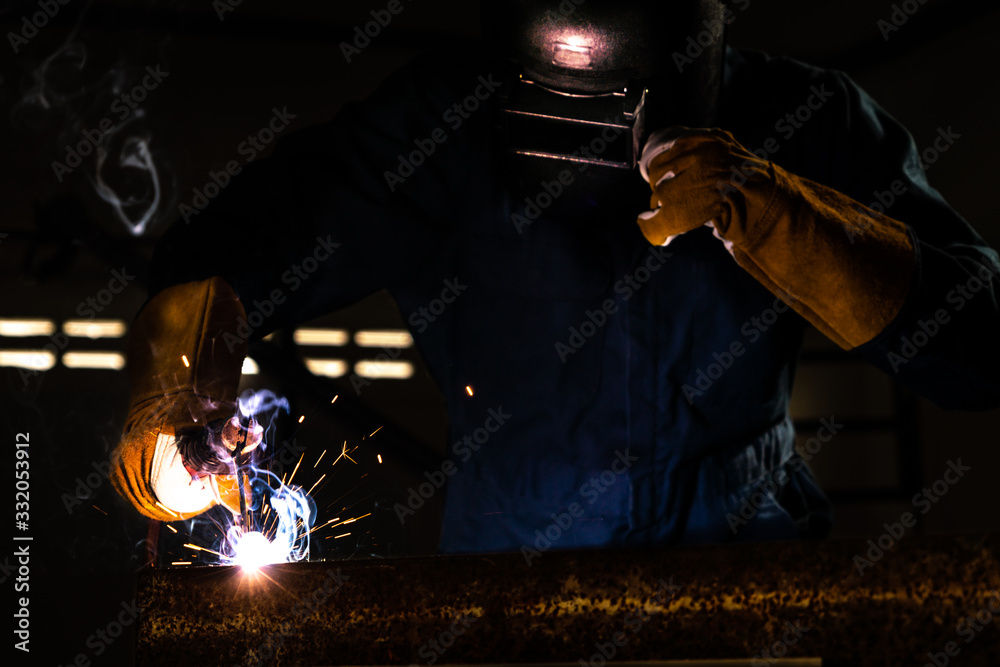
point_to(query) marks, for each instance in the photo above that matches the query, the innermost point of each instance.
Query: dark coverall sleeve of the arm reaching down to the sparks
(339, 210)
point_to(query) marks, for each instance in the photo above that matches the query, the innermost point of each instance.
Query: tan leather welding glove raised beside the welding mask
(844, 267)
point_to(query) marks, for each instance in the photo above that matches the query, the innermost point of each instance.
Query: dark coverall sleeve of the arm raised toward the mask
(943, 342)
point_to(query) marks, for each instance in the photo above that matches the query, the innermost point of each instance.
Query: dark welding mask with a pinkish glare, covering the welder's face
(589, 80)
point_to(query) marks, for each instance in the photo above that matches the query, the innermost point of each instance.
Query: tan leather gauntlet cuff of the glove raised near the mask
(845, 268)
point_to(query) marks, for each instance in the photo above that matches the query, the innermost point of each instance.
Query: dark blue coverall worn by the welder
(638, 429)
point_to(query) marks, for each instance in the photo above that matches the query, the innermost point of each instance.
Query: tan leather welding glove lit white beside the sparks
(184, 364)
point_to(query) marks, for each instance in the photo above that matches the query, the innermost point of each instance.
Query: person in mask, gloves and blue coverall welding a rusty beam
(619, 131)
